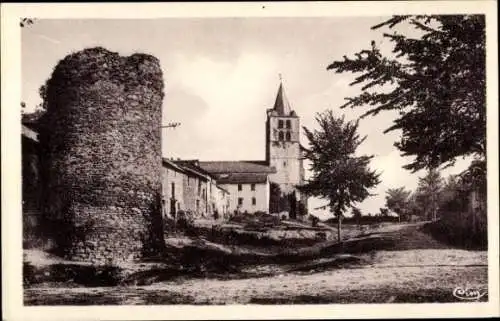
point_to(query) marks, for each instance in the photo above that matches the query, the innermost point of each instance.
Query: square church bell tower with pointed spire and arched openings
(283, 150)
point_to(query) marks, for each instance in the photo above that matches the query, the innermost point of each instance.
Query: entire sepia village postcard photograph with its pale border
(265, 160)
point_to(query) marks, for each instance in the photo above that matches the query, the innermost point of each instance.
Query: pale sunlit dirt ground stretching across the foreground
(394, 276)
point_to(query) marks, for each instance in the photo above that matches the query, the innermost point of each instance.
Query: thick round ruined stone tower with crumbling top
(102, 156)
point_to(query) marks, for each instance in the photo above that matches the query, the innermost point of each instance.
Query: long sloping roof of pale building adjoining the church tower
(236, 167)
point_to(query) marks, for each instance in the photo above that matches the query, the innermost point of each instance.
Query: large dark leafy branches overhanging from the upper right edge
(435, 81)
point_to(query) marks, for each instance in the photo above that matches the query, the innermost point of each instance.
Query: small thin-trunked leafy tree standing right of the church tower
(337, 174)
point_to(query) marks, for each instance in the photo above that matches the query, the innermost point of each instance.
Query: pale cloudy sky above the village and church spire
(221, 74)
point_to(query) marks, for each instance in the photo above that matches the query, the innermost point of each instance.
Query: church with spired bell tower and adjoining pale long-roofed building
(251, 184)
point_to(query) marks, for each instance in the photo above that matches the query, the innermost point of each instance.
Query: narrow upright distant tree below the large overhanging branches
(428, 193)
